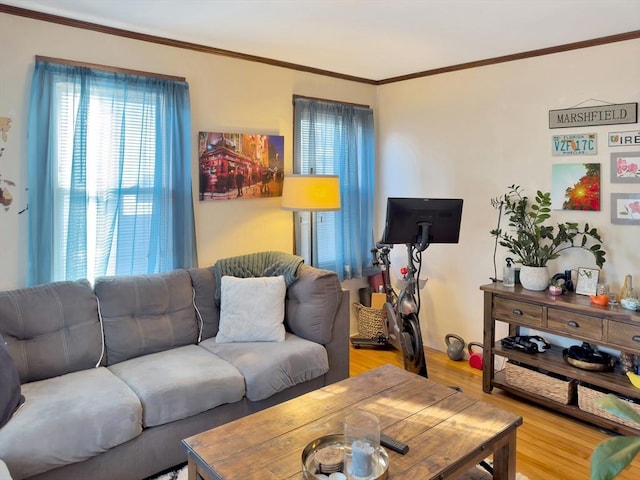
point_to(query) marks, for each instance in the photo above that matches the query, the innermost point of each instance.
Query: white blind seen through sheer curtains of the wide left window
(120, 152)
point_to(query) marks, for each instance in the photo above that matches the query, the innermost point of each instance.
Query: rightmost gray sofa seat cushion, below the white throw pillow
(270, 367)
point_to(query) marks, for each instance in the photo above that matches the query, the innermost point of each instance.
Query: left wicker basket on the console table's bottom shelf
(554, 387)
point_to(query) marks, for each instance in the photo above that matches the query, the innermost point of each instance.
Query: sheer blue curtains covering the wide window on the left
(109, 174)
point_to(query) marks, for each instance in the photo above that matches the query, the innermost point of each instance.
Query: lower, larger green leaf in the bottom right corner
(612, 456)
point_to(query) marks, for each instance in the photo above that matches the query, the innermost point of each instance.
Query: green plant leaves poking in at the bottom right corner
(613, 455)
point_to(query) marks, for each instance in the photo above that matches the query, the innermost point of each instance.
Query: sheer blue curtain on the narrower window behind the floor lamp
(334, 138)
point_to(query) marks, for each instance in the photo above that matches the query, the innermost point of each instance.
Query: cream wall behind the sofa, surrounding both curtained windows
(227, 95)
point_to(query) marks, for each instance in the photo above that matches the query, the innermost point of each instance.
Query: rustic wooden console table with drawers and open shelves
(570, 316)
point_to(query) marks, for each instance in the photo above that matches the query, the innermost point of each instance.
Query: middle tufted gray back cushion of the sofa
(145, 314)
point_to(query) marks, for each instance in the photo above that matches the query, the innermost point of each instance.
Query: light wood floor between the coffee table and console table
(550, 446)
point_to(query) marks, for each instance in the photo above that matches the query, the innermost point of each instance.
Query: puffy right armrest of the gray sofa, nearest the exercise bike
(318, 310)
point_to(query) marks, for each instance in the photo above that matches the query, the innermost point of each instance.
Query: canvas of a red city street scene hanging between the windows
(240, 165)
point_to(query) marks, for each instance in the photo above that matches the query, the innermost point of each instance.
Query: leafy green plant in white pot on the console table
(535, 242)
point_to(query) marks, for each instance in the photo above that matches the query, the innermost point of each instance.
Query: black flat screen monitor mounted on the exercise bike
(405, 216)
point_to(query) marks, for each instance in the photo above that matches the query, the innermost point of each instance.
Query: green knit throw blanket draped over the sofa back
(261, 264)
